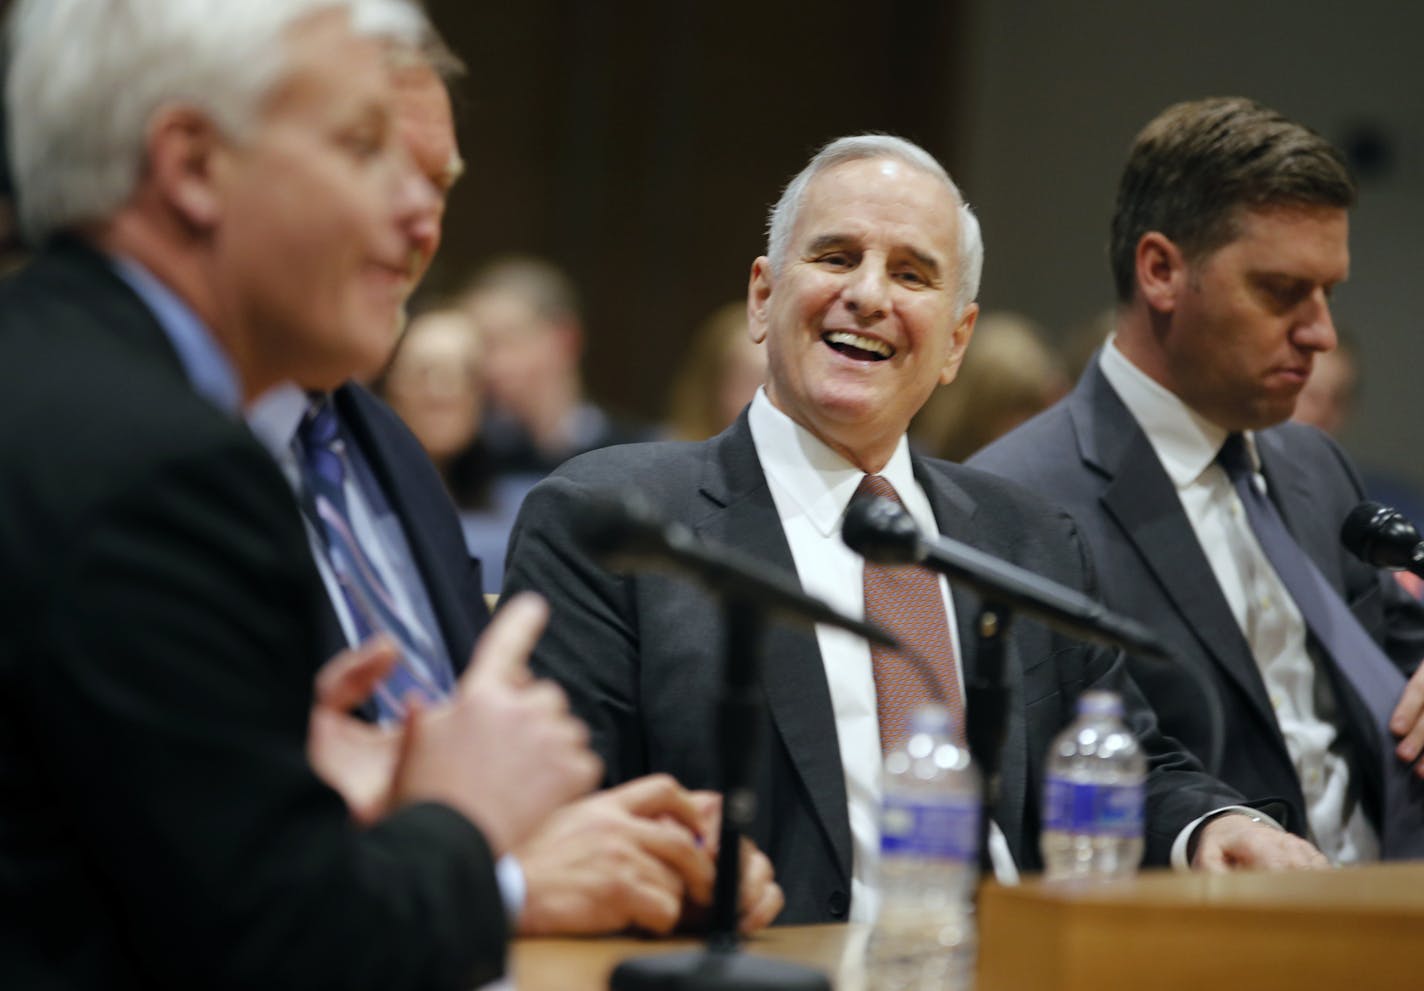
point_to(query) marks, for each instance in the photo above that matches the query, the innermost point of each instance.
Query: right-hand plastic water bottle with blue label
(1093, 802)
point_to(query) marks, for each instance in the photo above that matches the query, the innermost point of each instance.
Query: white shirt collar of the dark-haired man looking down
(1185, 442)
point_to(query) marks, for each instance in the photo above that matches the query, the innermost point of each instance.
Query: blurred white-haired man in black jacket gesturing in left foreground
(221, 203)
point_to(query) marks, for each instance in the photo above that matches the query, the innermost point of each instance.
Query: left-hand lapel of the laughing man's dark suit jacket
(741, 515)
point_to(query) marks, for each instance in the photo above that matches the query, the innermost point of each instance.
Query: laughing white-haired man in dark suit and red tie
(867, 303)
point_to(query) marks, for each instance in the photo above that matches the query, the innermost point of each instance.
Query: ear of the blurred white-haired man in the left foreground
(184, 152)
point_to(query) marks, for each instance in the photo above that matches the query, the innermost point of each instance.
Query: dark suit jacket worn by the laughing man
(640, 656)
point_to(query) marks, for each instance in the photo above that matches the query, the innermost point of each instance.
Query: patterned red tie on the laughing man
(906, 602)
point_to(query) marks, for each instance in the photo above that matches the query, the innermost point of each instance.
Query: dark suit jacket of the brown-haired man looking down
(1093, 459)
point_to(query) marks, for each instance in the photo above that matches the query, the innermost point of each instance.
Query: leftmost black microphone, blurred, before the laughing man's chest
(624, 532)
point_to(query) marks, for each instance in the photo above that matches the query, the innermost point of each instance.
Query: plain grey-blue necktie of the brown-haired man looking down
(1373, 676)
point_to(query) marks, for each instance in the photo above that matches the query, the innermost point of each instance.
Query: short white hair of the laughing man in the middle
(859, 147)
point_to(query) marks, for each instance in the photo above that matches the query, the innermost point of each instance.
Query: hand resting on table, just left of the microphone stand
(620, 859)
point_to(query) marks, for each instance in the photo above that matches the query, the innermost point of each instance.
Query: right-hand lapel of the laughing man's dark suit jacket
(955, 515)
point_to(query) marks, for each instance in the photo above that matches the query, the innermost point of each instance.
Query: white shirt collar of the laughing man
(820, 481)
